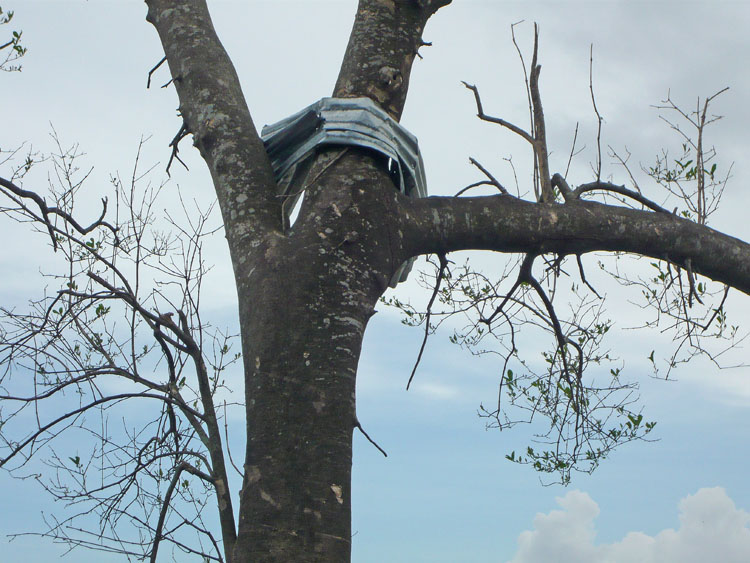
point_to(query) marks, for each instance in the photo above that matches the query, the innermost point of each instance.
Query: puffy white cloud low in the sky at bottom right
(711, 528)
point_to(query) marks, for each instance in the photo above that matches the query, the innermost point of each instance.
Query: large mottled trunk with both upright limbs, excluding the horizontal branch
(305, 296)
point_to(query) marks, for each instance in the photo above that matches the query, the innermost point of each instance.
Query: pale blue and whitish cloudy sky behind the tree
(445, 493)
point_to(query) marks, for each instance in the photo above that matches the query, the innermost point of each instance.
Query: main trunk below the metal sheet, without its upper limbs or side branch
(303, 313)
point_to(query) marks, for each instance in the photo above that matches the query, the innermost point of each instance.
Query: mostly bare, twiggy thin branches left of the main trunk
(121, 333)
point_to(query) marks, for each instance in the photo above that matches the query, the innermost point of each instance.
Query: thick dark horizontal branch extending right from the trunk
(506, 224)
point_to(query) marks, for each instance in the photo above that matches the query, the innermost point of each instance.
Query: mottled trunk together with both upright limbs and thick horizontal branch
(305, 295)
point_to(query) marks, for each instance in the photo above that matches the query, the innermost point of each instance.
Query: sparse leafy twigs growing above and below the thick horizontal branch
(577, 397)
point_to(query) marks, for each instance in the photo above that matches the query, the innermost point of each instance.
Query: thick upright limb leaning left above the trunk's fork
(214, 110)
